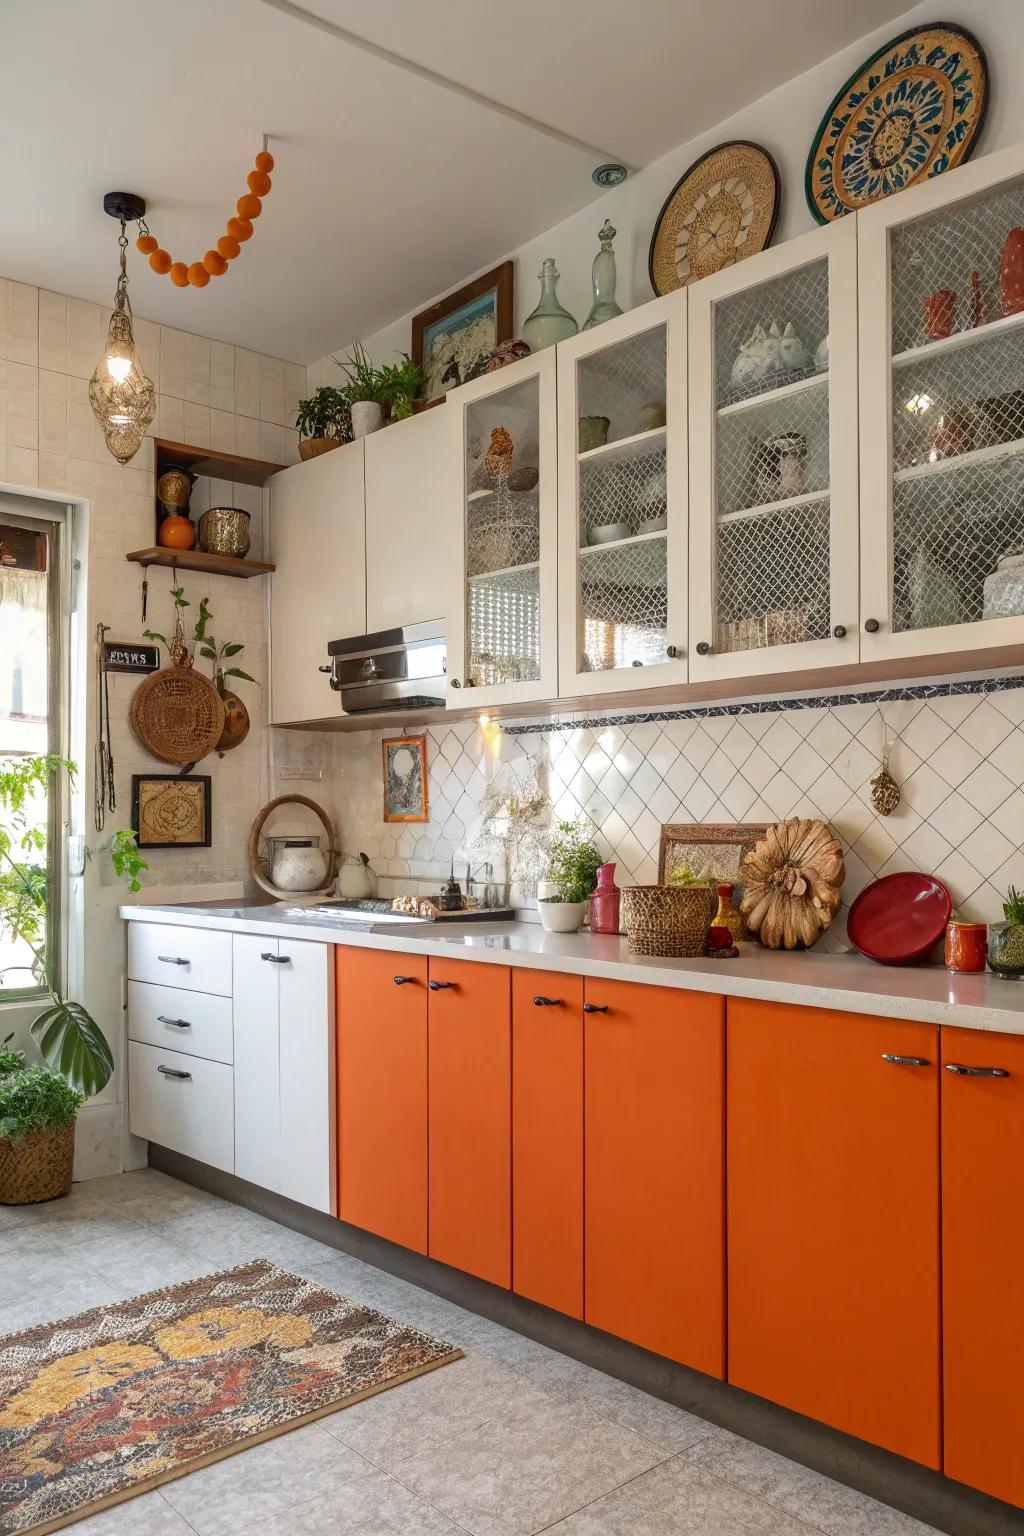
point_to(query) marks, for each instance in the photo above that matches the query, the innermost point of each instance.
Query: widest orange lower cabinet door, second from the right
(834, 1203)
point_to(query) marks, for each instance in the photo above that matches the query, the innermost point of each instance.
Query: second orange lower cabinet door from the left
(471, 1117)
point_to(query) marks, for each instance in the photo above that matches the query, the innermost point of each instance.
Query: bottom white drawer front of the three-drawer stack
(182, 1104)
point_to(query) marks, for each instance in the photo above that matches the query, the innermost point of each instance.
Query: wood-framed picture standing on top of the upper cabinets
(458, 331)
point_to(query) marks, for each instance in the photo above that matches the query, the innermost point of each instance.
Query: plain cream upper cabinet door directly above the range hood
(412, 498)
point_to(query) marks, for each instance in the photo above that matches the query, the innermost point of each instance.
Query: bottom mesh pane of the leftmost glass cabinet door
(504, 627)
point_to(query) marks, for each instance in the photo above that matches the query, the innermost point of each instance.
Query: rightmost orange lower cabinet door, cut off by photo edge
(983, 1260)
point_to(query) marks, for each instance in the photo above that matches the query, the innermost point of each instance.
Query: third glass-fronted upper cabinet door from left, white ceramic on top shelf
(773, 462)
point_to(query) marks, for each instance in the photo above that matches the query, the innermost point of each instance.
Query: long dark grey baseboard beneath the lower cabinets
(903, 1485)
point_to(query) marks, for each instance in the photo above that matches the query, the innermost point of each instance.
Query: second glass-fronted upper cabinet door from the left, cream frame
(623, 503)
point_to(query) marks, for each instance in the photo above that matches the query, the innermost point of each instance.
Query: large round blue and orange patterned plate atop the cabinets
(910, 113)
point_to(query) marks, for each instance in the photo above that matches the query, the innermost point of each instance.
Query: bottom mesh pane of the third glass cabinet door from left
(773, 578)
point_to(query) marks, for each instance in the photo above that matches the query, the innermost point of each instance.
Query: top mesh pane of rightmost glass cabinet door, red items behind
(934, 262)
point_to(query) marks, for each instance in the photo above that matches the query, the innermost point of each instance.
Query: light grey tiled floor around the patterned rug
(509, 1442)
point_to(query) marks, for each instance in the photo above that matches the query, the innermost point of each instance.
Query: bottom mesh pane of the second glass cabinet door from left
(624, 606)
